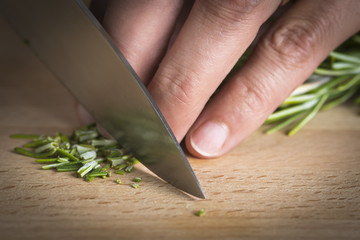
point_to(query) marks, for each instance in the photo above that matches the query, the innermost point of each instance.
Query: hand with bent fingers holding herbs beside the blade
(183, 56)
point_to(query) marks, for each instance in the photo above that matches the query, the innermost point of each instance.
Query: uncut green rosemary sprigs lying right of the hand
(334, 82)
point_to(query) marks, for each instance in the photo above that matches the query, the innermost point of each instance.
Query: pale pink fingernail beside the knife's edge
(209, 138)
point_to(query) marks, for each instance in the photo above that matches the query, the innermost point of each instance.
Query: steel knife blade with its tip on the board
(70, 42)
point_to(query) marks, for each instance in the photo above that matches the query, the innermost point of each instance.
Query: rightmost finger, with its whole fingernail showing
(286, 55)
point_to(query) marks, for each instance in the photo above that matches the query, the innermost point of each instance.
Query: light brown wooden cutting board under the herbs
(278, 187)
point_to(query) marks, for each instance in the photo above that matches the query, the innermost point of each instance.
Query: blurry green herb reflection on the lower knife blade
(155, 149)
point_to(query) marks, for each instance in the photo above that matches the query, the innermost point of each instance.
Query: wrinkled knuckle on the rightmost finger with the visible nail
(293, 42)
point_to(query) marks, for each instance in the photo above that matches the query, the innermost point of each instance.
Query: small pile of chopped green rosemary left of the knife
(86, 152)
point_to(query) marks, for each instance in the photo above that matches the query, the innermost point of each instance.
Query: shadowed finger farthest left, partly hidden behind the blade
(141, 30)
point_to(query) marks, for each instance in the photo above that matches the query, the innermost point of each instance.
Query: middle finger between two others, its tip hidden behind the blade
(213, 37)
